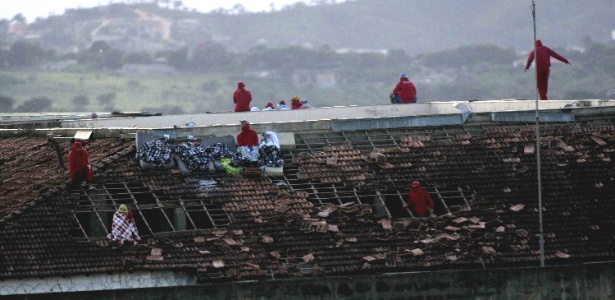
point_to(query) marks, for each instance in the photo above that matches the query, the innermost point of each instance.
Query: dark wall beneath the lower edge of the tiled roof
(586, 281)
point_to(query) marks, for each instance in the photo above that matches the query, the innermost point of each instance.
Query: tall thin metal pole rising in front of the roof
(540, 231)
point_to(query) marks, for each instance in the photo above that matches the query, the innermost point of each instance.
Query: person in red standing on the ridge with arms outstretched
(543, 64)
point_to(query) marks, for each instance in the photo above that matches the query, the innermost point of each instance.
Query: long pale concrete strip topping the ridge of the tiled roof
(327, 113)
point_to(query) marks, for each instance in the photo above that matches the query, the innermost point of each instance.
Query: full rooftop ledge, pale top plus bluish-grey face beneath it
(340, 118)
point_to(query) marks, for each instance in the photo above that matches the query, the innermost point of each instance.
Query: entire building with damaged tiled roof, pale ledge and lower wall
(332, 225)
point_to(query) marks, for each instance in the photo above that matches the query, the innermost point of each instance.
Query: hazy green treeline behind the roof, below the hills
(473, 72)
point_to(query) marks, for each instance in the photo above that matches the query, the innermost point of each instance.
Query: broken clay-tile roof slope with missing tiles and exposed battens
(337, 209)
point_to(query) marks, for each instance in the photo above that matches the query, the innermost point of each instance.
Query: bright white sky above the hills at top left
(33, 9)
